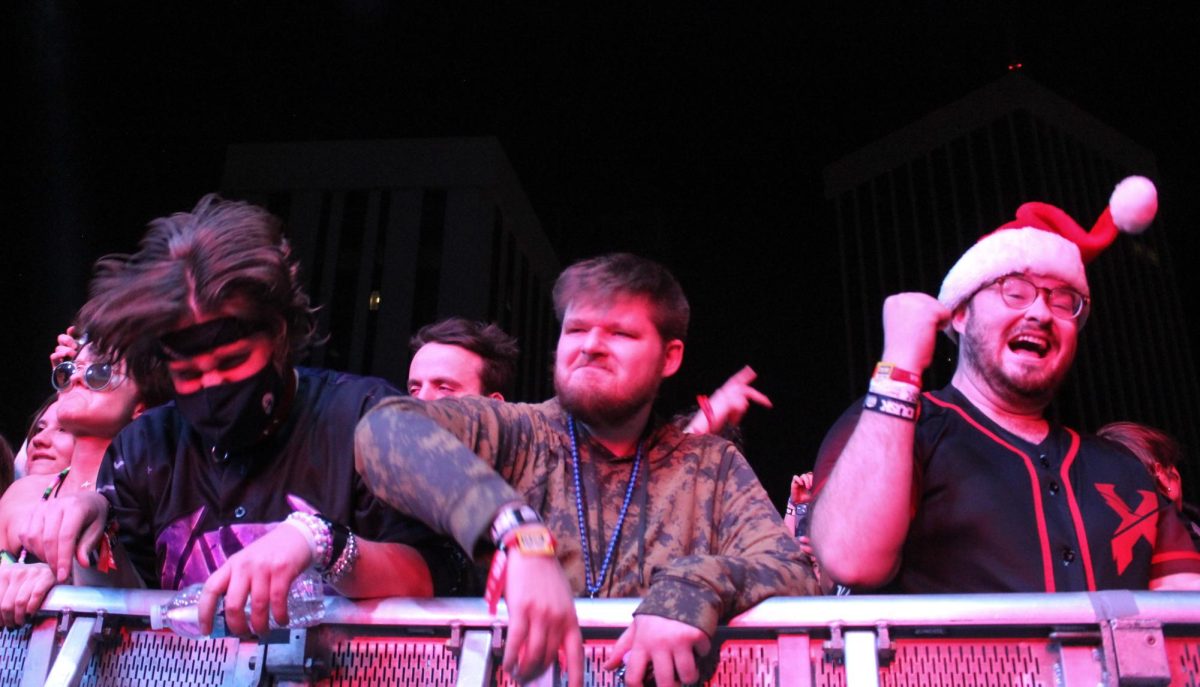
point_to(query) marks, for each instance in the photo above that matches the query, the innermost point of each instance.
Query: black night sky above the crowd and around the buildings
(695, 135)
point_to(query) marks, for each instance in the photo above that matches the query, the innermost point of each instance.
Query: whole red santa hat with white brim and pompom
(1047, 242)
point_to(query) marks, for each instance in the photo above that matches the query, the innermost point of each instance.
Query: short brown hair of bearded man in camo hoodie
(625, 274)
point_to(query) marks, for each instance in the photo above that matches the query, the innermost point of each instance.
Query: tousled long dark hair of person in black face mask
(223, 252)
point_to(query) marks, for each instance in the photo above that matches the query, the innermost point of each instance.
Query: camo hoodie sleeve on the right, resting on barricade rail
(755, 558)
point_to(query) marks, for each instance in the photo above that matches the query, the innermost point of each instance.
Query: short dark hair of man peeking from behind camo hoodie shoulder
(499, 351)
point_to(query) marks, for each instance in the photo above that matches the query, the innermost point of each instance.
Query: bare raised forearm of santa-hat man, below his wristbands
(861, 517)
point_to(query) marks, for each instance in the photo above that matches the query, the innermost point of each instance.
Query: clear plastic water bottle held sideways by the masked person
(307, 608)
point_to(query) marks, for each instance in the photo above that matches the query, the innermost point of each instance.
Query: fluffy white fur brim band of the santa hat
(1013, 252)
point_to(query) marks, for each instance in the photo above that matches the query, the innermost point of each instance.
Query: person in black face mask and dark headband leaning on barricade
(248, 480)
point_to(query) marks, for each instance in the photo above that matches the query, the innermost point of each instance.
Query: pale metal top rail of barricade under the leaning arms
(958, 611)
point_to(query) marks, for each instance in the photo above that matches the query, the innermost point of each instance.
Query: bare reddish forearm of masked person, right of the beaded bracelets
(387, 570)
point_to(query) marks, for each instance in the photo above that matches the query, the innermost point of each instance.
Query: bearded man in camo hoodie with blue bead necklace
(632, 507)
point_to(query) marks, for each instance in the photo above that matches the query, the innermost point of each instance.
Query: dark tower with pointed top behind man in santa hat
(907, 207)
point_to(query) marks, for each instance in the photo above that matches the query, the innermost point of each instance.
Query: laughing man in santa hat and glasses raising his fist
(971, 488)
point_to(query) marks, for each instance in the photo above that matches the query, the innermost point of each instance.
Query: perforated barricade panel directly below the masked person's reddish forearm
(393, 664)
